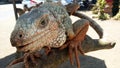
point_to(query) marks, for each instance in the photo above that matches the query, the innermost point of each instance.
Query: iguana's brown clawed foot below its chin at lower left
(26, 58)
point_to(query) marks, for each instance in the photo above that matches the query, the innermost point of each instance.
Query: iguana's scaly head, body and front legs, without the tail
(48, 26)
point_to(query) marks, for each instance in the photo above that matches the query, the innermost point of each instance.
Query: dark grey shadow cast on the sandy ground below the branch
(86, 62)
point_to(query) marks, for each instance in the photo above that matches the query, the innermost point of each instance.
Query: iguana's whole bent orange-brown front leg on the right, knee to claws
(80, 28)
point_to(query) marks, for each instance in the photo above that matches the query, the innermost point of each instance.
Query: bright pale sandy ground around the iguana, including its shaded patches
(97, 59)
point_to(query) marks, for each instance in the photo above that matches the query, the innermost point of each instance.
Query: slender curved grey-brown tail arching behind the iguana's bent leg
(93, 24)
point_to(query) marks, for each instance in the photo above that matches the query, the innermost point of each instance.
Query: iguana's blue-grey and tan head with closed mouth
(37, 29)
